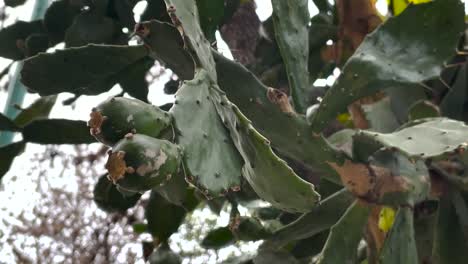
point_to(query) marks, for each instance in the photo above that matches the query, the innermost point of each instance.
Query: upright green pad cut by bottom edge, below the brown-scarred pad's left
(345, 235)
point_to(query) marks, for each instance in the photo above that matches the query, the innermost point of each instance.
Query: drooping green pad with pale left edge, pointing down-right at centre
(270, 177)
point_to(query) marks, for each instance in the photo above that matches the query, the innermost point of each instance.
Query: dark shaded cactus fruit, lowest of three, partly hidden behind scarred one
(109, 199)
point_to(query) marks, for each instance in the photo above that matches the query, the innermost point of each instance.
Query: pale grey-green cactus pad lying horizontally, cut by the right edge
(434, 138)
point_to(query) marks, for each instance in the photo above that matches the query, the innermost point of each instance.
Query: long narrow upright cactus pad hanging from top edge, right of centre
(291, 19)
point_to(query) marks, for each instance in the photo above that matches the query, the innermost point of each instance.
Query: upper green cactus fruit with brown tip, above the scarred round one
(114, 118)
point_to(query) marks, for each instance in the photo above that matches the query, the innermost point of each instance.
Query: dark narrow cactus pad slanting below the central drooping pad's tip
(319, 219)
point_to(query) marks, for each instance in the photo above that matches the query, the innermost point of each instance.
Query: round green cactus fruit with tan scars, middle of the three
(139, 163)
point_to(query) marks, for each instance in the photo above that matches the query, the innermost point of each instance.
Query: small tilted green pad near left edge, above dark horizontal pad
(39, 109)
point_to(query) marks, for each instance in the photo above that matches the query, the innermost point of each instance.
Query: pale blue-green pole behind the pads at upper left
(16, 90)
